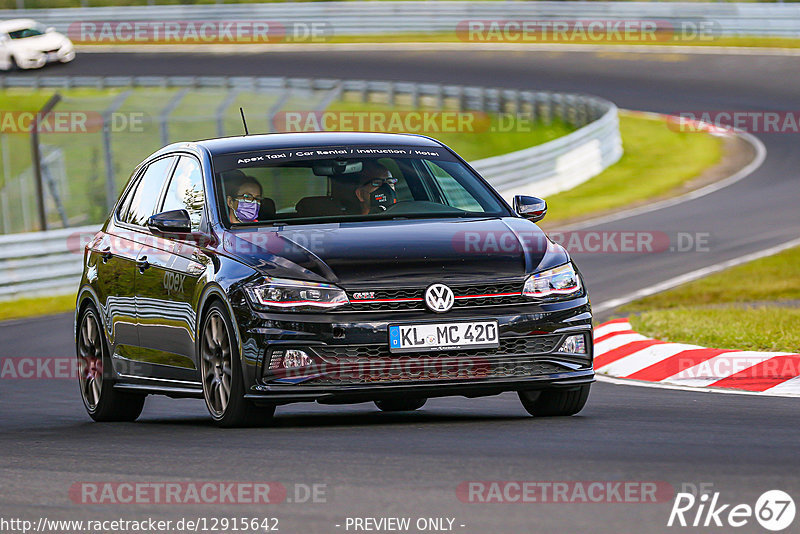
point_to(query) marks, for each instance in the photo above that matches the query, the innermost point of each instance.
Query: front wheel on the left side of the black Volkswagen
(221, 373)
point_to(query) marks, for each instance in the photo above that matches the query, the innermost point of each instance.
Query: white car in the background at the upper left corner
(26, 44)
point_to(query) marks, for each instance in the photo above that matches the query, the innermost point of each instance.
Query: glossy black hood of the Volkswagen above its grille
(398, 252)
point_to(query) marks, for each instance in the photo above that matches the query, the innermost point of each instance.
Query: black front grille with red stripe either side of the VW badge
(466, 296)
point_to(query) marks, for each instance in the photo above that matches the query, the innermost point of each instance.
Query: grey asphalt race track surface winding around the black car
(410, 465)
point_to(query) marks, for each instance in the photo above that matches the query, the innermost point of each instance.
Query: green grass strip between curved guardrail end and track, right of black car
(656, 161)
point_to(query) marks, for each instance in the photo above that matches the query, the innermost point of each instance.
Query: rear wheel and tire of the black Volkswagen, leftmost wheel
(103, 403)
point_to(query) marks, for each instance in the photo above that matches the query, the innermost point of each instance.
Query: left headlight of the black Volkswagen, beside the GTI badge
(294, 295)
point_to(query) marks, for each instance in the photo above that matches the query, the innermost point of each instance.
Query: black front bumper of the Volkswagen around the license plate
(352, 362)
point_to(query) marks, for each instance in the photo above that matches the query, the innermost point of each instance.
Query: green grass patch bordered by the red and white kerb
(731, 309)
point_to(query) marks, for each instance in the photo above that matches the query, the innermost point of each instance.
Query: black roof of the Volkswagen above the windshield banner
(248, 143)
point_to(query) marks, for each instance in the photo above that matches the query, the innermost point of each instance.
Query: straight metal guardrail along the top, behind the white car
(365, 17)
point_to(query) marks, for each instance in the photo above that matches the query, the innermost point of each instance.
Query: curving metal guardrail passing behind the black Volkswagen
(50, 262)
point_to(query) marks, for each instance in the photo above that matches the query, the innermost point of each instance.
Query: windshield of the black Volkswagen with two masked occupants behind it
(331, 184)
